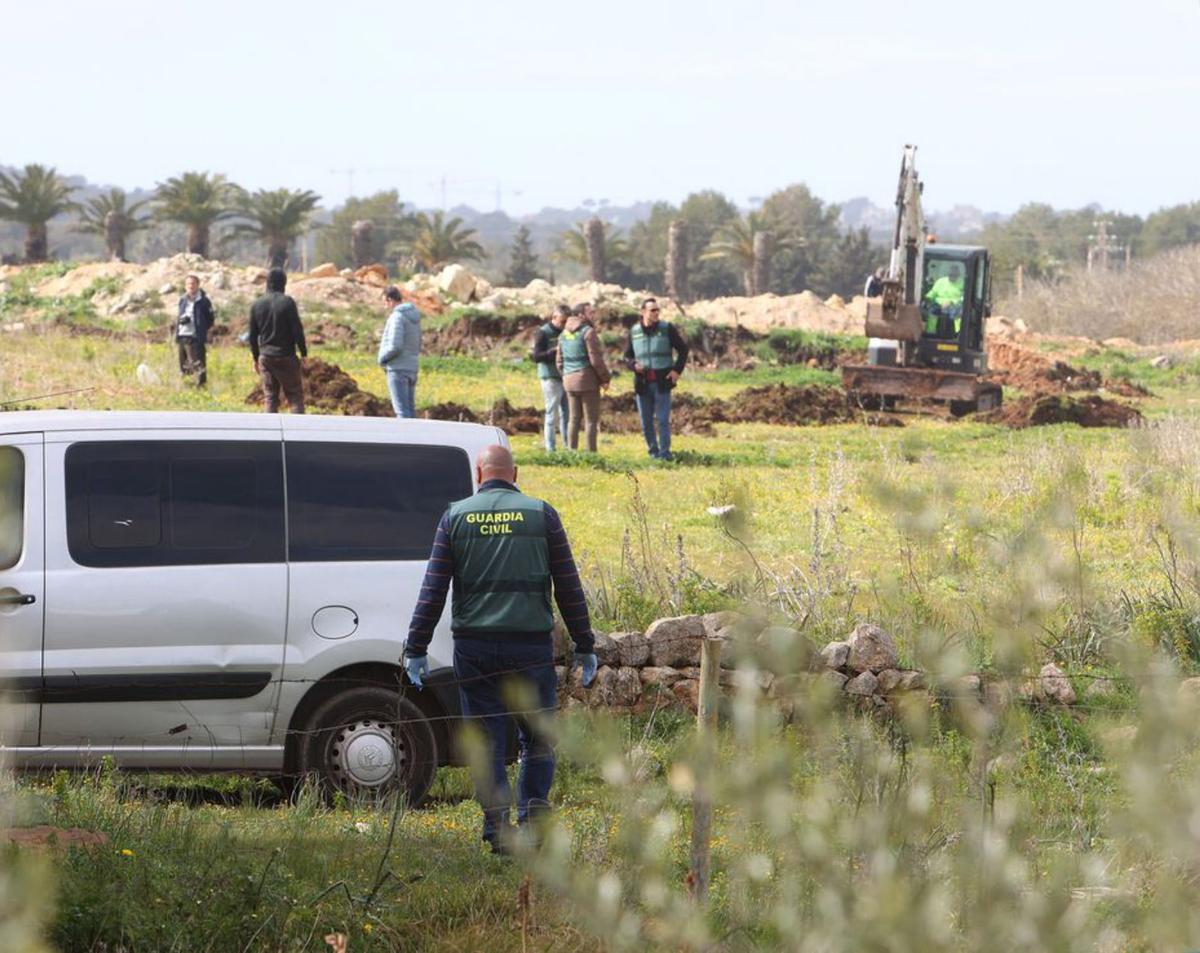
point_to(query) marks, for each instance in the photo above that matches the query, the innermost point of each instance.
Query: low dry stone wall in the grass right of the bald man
(661, 668)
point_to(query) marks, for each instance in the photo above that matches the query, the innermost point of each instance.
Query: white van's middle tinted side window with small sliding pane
(175, 504)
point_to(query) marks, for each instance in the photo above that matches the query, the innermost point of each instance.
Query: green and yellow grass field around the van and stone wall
(980, 548)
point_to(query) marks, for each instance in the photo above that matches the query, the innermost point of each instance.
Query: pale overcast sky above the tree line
(550, 104)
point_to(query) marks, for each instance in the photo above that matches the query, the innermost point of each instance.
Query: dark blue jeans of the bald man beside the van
(485, 670)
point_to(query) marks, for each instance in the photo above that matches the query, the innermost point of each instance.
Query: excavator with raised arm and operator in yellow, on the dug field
(927, 329)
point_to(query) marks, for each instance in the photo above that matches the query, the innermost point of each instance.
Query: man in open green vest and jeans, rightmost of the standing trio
(657, 355)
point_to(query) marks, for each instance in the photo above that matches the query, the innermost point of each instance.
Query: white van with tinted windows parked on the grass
(226, 592)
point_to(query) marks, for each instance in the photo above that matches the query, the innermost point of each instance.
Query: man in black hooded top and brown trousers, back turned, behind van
(275, 338)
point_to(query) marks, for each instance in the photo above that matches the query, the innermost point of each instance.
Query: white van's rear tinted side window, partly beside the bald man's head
(365, 501)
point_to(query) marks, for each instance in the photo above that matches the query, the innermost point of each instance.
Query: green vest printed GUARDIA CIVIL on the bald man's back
(502, 580)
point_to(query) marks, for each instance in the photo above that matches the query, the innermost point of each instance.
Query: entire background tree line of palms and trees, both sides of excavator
(703, 248)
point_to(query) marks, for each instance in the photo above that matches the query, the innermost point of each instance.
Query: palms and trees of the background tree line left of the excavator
(705, 248)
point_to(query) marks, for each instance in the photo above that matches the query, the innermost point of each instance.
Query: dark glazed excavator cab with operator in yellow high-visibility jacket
(956, 299)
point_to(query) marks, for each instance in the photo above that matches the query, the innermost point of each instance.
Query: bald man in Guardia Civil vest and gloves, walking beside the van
(503, 552)
